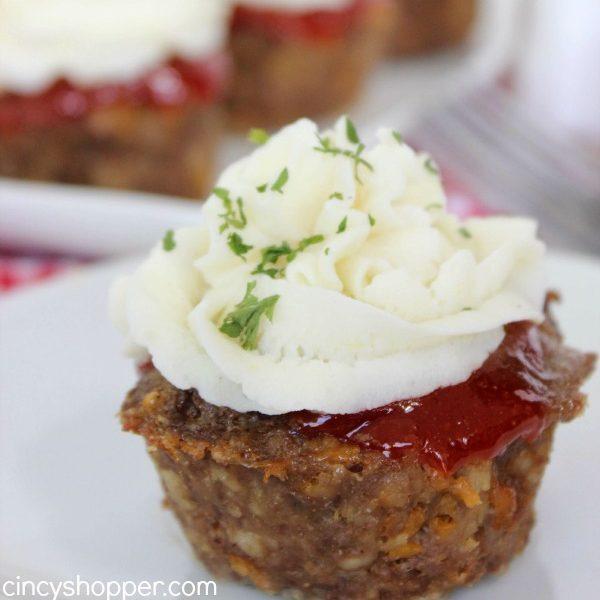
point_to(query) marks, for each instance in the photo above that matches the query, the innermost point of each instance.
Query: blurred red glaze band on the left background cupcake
(174, 83)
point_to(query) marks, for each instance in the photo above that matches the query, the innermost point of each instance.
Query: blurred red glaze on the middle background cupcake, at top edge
(313, 25)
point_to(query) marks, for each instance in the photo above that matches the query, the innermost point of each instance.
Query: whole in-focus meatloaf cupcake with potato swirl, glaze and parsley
(347, 392)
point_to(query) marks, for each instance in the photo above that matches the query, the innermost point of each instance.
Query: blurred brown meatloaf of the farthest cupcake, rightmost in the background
(425, 25)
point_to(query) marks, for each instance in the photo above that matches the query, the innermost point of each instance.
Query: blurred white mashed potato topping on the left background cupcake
(92, 42)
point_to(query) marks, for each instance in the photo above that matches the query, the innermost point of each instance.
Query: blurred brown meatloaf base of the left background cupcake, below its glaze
(168, 151)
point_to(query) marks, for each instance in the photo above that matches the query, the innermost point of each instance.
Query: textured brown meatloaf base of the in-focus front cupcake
(324, 519)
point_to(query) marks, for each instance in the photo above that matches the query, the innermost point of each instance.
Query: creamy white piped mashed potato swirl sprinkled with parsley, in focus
(383, 294)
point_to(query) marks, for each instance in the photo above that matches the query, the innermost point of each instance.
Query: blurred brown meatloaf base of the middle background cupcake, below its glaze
(280, 80)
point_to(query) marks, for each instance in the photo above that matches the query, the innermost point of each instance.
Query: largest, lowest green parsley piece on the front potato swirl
(244, 320)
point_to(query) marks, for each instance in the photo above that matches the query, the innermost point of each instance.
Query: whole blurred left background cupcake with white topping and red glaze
(118, 93)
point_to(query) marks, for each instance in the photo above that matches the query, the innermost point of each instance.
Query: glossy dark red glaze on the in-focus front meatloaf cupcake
(505, 399)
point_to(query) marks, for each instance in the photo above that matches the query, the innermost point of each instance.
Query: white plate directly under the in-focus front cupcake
(81, 497)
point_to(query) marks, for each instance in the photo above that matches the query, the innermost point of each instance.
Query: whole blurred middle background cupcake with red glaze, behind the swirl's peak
(295, 58)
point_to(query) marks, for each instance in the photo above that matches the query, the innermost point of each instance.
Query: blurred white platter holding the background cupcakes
(107, 223)
